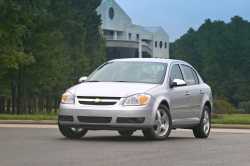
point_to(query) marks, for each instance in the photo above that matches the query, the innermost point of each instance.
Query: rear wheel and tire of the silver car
(203, 130)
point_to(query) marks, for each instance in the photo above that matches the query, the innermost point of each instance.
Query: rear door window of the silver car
(190, 75)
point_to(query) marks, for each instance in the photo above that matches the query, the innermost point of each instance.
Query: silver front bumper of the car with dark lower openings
(107, 117)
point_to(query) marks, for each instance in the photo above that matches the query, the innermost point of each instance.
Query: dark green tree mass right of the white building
(221, 53)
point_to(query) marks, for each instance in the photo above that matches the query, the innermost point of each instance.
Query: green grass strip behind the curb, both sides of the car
(217, 119)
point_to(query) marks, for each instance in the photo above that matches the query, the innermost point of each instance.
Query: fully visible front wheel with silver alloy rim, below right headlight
(163, 125)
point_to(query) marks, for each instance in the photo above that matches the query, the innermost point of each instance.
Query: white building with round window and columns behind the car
(127, 40)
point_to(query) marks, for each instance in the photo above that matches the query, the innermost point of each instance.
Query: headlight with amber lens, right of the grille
(137, 100)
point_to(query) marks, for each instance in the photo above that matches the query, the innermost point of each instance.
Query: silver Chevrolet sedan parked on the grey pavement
(152, 95)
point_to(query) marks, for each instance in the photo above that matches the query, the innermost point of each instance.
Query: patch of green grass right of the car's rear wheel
(232, 119)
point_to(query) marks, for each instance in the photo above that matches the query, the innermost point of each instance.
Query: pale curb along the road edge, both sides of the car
(54, 122)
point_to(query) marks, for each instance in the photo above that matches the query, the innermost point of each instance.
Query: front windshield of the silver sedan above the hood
(134, 72)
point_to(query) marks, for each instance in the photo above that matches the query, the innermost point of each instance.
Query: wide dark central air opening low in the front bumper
(93, 119)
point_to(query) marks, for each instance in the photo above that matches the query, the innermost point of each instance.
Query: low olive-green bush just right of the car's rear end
(223, 107)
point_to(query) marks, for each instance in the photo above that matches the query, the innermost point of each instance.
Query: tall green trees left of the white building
(45, 47)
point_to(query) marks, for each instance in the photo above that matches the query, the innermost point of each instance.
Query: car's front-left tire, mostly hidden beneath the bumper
(72, 133)
